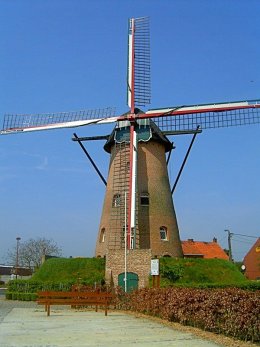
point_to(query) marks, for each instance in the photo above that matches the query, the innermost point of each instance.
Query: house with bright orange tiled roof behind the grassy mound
(200, 249)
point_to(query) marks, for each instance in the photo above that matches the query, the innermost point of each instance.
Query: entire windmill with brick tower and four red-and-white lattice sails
(138, 212)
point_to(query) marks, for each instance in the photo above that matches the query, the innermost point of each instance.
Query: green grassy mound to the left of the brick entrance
(85, 270)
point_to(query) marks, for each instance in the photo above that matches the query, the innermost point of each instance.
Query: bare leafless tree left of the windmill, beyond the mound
(32, 251)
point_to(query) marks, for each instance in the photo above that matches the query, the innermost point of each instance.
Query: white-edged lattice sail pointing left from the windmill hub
(28, 122)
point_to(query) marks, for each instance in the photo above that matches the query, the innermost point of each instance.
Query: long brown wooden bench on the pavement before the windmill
(75, 299)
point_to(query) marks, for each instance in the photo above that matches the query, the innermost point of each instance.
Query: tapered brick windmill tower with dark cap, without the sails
(154, 230)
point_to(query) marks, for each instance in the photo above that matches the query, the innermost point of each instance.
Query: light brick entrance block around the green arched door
(138, 265)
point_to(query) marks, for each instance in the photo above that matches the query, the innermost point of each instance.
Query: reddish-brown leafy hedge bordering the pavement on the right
(231, 312)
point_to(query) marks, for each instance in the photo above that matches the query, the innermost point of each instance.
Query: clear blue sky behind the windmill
(62, 55)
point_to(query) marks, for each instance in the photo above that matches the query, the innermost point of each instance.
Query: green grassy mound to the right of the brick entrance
(194, 271)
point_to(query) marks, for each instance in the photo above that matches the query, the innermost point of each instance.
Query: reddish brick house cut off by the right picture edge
(252, 262)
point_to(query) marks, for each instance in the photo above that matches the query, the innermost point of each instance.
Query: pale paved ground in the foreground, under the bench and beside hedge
(27, 325)
